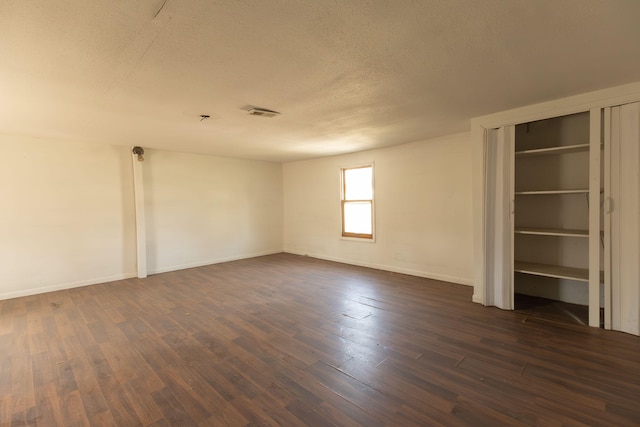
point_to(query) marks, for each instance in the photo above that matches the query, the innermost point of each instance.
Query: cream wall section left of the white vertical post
(67, 215)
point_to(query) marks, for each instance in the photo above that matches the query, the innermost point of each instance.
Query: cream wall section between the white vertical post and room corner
(204, 209)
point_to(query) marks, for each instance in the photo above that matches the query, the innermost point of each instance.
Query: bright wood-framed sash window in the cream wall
(357, 202)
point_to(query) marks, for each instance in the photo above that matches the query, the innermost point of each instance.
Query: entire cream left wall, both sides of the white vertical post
(68, 218)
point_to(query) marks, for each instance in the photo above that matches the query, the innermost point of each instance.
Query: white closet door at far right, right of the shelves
(622, 217)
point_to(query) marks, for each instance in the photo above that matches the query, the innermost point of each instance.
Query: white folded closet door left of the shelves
(498, 217)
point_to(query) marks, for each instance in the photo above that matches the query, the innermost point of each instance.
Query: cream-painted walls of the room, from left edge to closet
(67, 216)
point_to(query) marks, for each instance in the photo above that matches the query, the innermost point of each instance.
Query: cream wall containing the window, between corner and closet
(422, 207)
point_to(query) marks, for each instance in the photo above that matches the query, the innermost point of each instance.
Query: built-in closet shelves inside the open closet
(551, 207)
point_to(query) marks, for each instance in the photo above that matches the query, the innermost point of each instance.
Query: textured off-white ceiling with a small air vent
(346, 75)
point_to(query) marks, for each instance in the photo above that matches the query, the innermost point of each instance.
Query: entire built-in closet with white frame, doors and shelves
(556, 207)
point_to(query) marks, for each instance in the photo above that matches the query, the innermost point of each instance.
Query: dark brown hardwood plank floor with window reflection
(288, 340)
